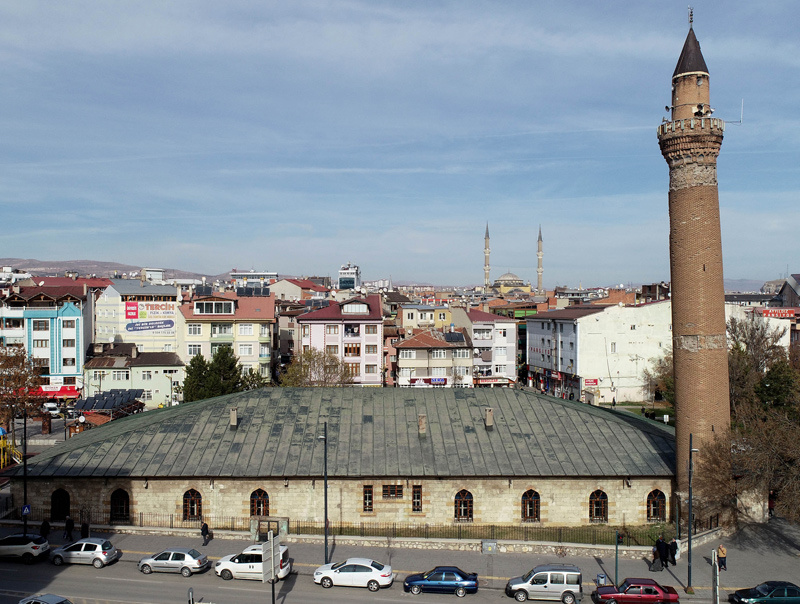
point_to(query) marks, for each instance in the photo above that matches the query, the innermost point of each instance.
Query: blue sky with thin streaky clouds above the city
(297, 136)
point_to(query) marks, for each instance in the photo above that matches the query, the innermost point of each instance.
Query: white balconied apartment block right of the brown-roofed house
(494, 341)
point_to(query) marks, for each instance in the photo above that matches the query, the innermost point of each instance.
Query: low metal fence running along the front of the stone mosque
(525, 531)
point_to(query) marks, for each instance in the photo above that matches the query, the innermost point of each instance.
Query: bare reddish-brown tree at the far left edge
(18, 379)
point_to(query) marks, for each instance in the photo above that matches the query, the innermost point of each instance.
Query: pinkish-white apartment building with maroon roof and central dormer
(353, 332)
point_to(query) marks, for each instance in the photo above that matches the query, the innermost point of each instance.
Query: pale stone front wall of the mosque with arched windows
(564, 502)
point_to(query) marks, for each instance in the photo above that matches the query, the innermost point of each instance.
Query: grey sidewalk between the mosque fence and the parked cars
(756, 553)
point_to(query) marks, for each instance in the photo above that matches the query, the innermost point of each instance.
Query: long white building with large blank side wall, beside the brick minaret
(600, 353)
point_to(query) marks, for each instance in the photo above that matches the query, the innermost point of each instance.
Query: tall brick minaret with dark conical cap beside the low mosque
(690, 143)
